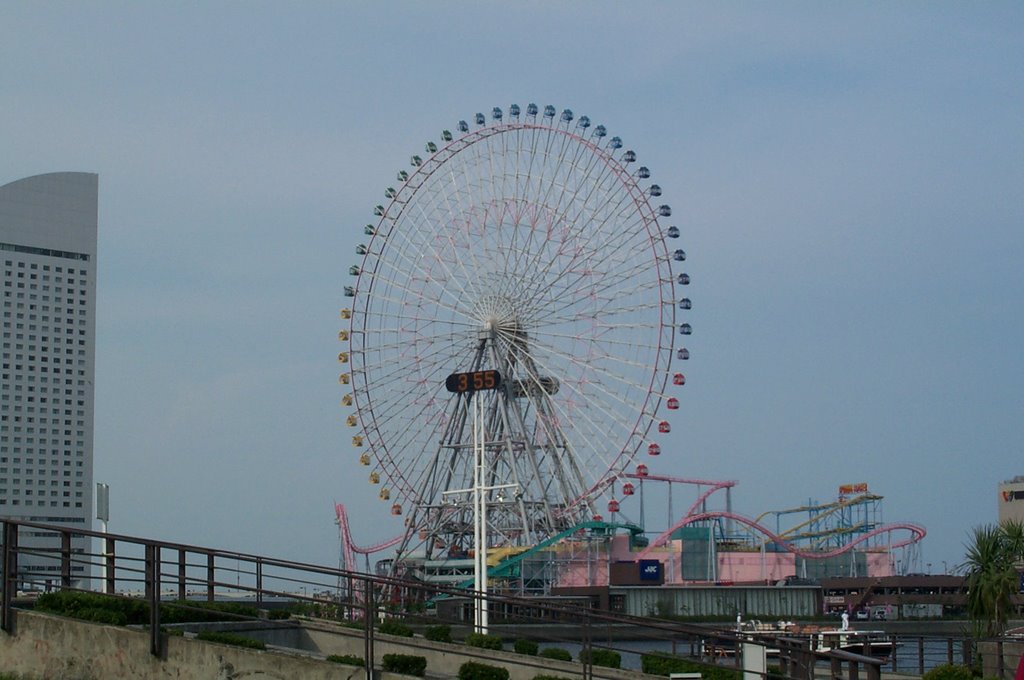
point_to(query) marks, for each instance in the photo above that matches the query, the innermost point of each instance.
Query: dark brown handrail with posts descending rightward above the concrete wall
(165, 570)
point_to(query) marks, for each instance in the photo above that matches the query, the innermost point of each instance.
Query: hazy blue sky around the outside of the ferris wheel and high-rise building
(849, 179)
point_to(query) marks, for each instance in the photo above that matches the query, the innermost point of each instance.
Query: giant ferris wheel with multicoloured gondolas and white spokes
(533, 250)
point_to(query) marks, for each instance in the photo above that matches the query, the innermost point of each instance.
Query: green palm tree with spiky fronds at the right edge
(993, 580)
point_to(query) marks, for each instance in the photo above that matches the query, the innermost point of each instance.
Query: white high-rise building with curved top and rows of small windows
(49, 258)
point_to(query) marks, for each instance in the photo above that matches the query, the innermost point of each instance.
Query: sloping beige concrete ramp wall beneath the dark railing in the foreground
(59, 649)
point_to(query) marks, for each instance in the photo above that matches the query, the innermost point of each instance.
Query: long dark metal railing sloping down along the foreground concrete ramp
(163, 573)
